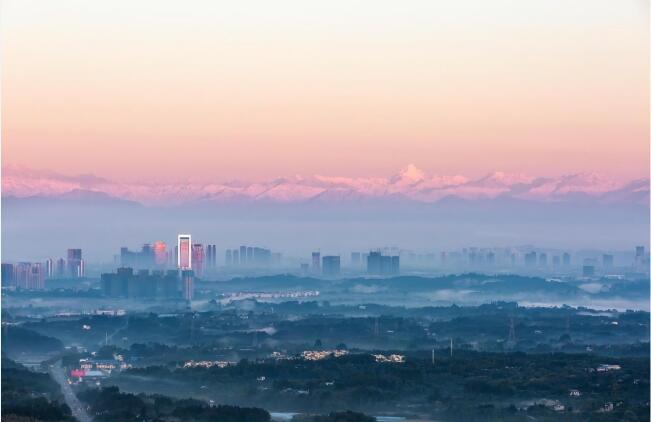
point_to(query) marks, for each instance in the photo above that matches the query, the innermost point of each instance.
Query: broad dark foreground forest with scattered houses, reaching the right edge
(468, 380)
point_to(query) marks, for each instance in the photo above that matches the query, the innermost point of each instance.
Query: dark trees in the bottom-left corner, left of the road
(33, 396)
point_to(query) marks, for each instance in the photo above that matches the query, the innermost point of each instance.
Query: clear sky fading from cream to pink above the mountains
(165, 90)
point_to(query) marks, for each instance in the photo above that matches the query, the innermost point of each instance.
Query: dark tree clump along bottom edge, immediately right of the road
(109, 404)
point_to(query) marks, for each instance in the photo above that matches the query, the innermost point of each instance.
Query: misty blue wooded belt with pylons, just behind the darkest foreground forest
(259, 328)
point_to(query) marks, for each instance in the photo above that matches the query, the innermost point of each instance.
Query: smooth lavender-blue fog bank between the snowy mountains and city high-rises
(41, 227)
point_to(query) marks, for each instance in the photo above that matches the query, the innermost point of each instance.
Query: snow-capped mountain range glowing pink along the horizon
(410, 183)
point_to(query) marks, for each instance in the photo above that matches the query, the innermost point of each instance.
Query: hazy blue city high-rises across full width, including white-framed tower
(150, 271)
